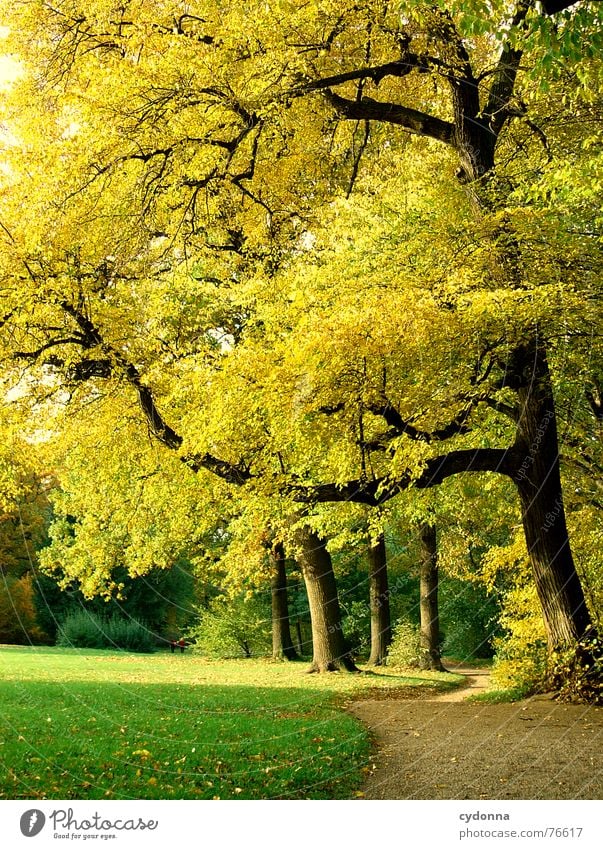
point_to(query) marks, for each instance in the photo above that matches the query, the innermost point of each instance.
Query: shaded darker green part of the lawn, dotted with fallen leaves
(145, 741)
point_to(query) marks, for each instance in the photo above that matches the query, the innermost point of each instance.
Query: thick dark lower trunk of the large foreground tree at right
(566, 617)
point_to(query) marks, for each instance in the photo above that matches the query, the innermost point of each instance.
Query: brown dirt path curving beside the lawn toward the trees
(448, 748)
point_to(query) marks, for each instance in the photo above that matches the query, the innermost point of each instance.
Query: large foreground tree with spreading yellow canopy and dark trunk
(324, 255)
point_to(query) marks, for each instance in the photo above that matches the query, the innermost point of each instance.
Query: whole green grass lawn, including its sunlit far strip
(90, 724)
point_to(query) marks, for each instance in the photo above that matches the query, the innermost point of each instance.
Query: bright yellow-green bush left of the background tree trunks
(232, 628)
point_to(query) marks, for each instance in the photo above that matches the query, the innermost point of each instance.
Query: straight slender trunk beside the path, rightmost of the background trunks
(428, 600)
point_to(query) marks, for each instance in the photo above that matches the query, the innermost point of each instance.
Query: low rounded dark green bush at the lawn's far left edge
(86, 630)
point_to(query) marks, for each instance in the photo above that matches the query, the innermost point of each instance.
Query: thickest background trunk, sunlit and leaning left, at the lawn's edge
(330, 649)
